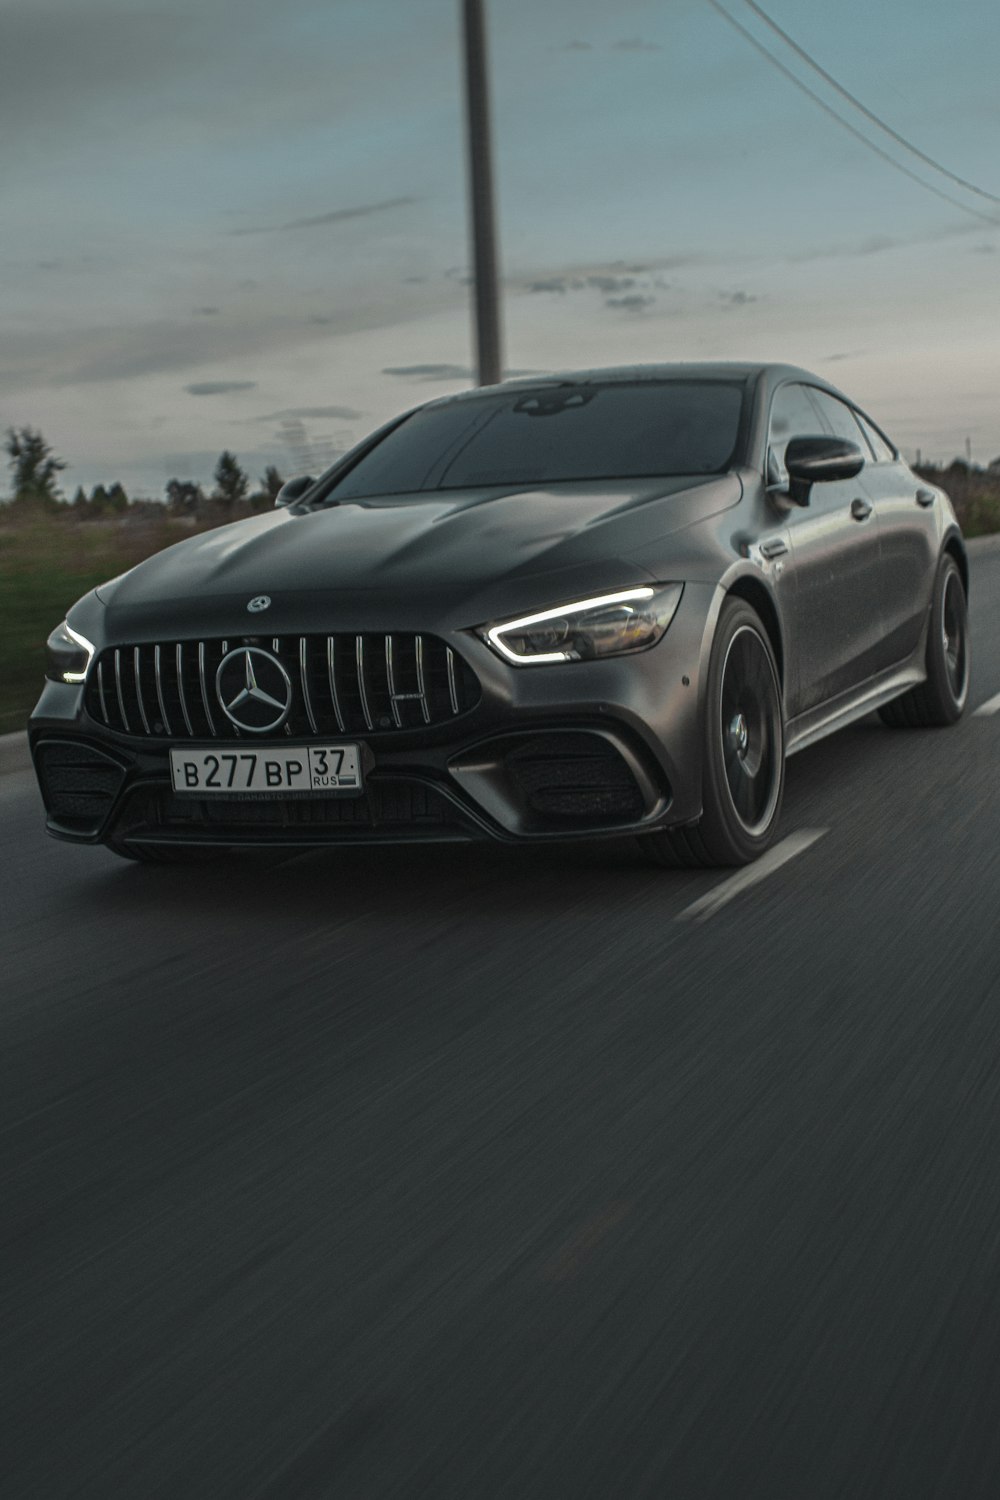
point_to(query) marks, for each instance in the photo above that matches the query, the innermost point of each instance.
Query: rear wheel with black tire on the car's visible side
(941, 700)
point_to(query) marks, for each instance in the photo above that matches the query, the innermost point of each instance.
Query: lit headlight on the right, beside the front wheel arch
(593, 628)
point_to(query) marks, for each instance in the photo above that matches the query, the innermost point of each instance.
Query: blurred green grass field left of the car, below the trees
(44, 568)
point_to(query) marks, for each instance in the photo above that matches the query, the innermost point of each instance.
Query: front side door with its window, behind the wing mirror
(837, 628)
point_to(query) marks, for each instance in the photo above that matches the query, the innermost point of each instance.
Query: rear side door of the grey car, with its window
(909, 539)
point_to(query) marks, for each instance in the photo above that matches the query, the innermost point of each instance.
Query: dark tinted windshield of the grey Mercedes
(555, 434)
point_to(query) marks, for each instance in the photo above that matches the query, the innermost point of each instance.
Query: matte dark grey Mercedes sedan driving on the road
(596, 604)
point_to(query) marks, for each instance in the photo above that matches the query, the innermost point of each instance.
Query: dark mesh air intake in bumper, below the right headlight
(575, 776)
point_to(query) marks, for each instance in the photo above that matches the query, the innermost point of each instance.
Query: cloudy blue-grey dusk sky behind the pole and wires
(241, 226)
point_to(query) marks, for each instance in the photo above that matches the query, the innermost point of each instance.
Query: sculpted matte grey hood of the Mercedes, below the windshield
(469, 553)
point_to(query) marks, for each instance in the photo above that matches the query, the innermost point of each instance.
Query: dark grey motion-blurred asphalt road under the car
(472, 1174)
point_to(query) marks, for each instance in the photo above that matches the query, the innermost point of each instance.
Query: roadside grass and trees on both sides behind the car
(53, 551)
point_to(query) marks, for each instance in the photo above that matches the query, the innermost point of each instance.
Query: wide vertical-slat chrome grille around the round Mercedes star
(358, 685)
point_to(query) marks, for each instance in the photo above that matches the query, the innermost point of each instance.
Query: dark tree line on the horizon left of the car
(35, 472)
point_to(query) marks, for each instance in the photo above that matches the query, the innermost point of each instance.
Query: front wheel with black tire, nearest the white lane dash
(743, 764)
